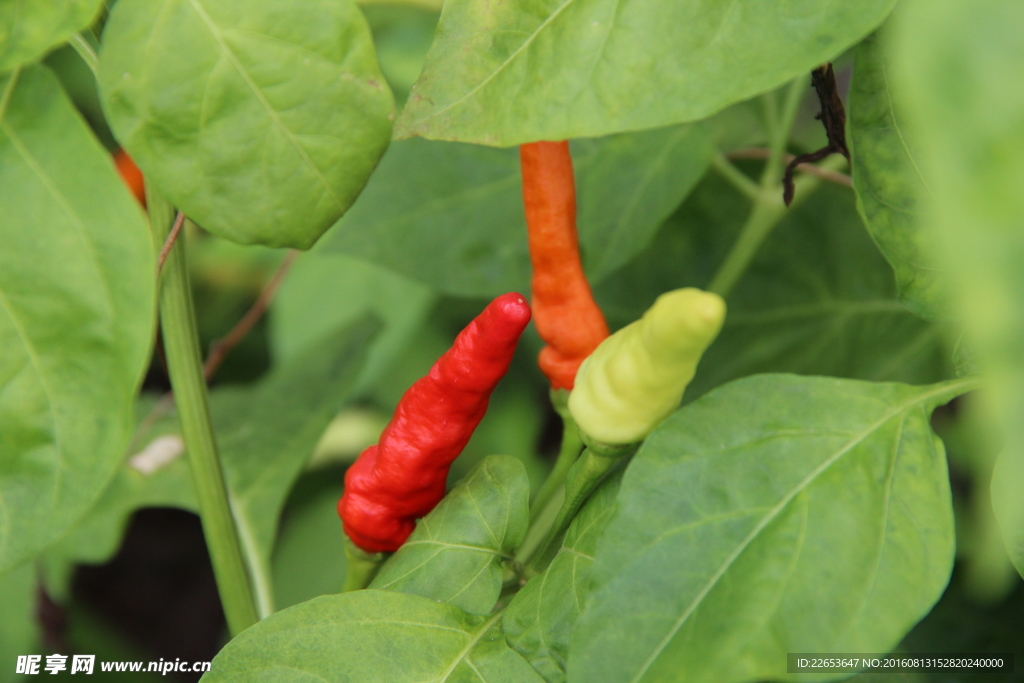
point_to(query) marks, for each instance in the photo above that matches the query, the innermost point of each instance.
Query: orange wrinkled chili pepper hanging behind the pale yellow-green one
(565, 312)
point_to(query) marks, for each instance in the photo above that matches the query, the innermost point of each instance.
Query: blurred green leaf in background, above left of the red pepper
(324, 292)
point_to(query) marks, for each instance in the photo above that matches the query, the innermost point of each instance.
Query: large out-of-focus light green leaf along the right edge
(955, 76)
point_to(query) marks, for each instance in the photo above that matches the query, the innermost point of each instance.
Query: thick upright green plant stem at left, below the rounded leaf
(185, 365)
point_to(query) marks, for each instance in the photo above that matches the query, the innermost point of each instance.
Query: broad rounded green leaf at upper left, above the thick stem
(261, 120)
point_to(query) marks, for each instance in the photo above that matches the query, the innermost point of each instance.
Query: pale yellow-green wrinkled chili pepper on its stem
(637, 376)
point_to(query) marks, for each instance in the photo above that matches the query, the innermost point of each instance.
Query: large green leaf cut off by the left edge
(77, 301)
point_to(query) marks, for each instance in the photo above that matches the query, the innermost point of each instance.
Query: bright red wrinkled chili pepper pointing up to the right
(403, 478)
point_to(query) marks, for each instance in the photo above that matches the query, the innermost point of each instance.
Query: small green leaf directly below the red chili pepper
(456, 553)
